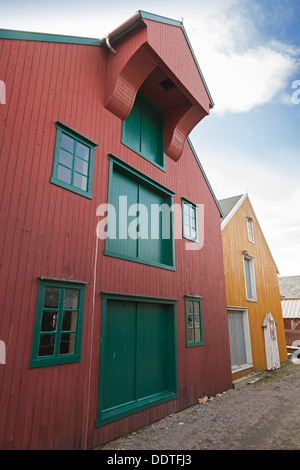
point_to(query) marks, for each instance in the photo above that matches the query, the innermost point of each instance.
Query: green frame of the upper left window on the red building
(62, 129)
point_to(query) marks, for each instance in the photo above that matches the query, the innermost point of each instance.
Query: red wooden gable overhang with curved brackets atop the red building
(152, 54)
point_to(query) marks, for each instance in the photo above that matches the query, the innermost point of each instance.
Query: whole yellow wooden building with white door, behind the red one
(256, 330)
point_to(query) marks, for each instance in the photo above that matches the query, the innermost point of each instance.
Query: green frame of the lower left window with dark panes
(57, 357)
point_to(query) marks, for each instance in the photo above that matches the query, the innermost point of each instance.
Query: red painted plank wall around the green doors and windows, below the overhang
(49, 231)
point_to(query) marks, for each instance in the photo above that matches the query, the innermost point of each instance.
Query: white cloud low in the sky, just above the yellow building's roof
(275, 198)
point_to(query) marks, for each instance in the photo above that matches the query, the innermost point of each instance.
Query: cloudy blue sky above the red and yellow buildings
(249, 53)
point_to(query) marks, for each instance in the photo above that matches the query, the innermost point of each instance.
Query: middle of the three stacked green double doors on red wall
(143, 227)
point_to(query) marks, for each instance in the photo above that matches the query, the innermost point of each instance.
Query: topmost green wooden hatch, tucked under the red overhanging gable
(143, 131)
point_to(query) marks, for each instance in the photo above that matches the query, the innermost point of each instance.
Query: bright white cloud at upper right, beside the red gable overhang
(241, 81)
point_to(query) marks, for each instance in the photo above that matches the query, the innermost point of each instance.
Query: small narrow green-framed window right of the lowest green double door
(194, 329)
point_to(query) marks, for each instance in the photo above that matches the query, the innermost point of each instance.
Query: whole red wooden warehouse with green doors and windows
(113, 308)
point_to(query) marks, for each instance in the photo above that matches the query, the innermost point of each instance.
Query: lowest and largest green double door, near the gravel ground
(138, 365)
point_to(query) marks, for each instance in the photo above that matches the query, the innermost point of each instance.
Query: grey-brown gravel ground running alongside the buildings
(264, 415)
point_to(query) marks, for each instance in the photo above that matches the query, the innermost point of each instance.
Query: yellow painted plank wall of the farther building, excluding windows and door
(235, 240)
